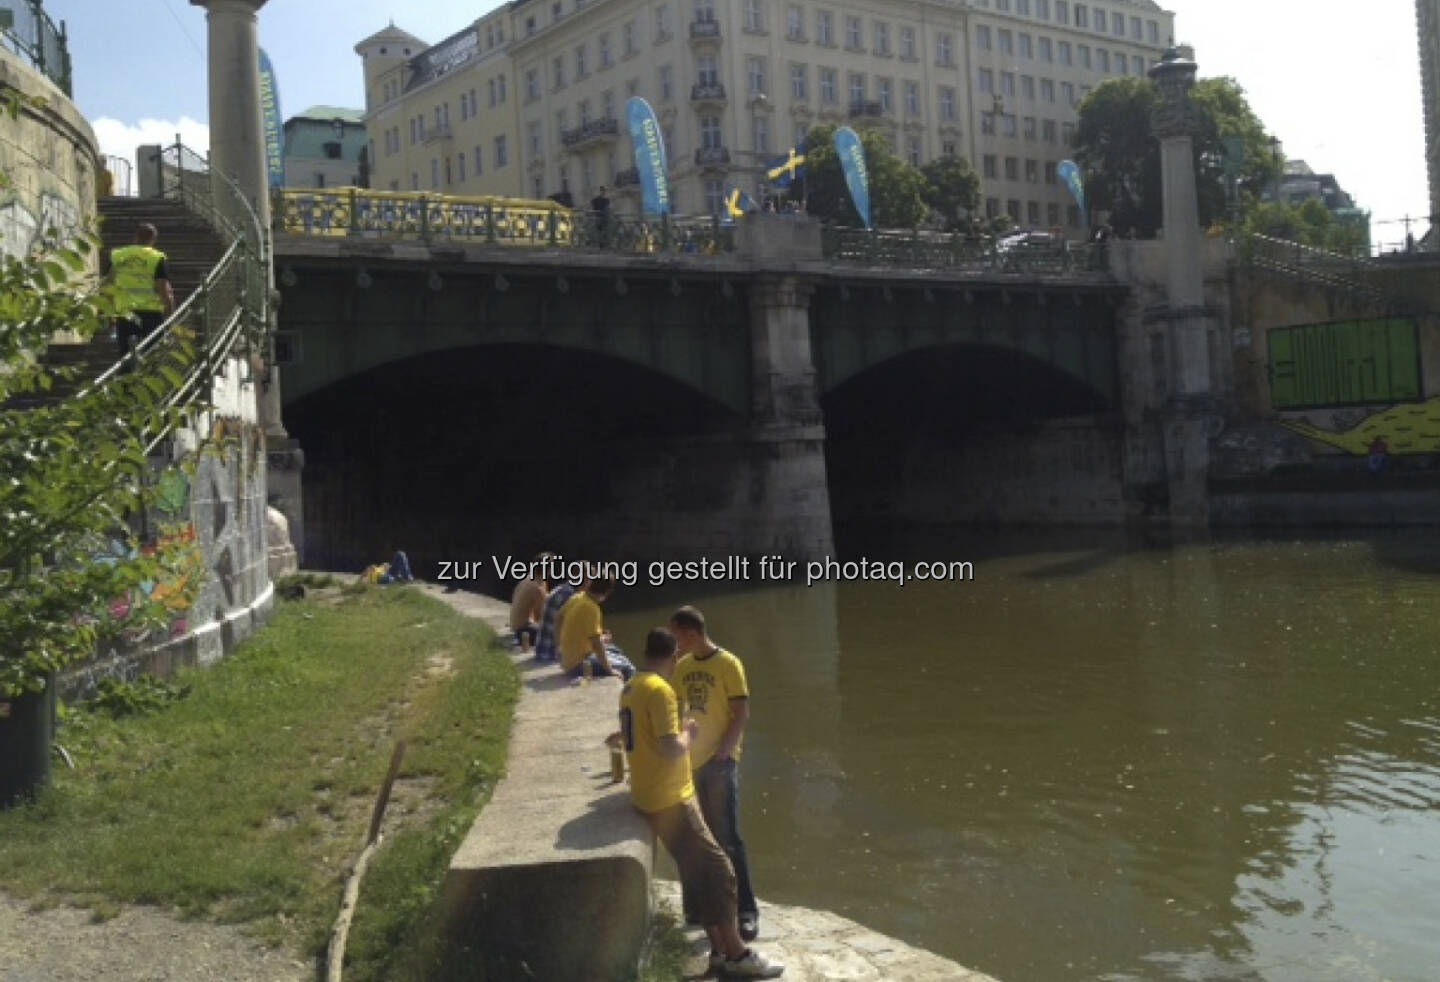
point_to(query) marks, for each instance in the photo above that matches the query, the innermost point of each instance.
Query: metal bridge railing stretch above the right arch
(922, 250)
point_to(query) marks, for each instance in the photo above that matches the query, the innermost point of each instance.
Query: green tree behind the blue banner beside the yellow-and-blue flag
(896, 188)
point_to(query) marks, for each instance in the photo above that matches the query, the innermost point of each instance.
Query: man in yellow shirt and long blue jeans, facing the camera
(712, 683)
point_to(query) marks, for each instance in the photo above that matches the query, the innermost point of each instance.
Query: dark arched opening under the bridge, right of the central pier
(967, 436)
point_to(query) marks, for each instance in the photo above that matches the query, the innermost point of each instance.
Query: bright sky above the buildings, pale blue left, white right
(1338, 83)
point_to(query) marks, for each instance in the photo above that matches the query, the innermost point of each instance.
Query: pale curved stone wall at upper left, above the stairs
(51, 159)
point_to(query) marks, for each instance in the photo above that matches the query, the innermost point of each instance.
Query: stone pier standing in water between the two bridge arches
(790, 503)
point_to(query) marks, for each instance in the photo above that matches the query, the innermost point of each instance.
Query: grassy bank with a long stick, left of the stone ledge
(247, 797)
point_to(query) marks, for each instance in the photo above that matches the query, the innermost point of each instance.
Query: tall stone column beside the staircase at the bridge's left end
(238, 150)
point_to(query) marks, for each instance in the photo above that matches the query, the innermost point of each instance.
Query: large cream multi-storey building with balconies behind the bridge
(531, 99)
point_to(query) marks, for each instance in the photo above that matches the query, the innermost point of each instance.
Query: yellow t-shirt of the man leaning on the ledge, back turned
(650, 712)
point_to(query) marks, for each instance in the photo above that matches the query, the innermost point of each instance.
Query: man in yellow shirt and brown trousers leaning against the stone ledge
(659, 751)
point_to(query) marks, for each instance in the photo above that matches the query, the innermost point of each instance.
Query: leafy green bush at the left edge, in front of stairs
(76, 472)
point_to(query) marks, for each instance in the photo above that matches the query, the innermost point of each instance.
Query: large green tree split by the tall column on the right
(1121, 158)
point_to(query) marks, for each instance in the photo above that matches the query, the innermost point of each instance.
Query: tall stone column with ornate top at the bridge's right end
(1190, 414)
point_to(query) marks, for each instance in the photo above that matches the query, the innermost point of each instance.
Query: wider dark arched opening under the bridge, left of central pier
(466, 456)
